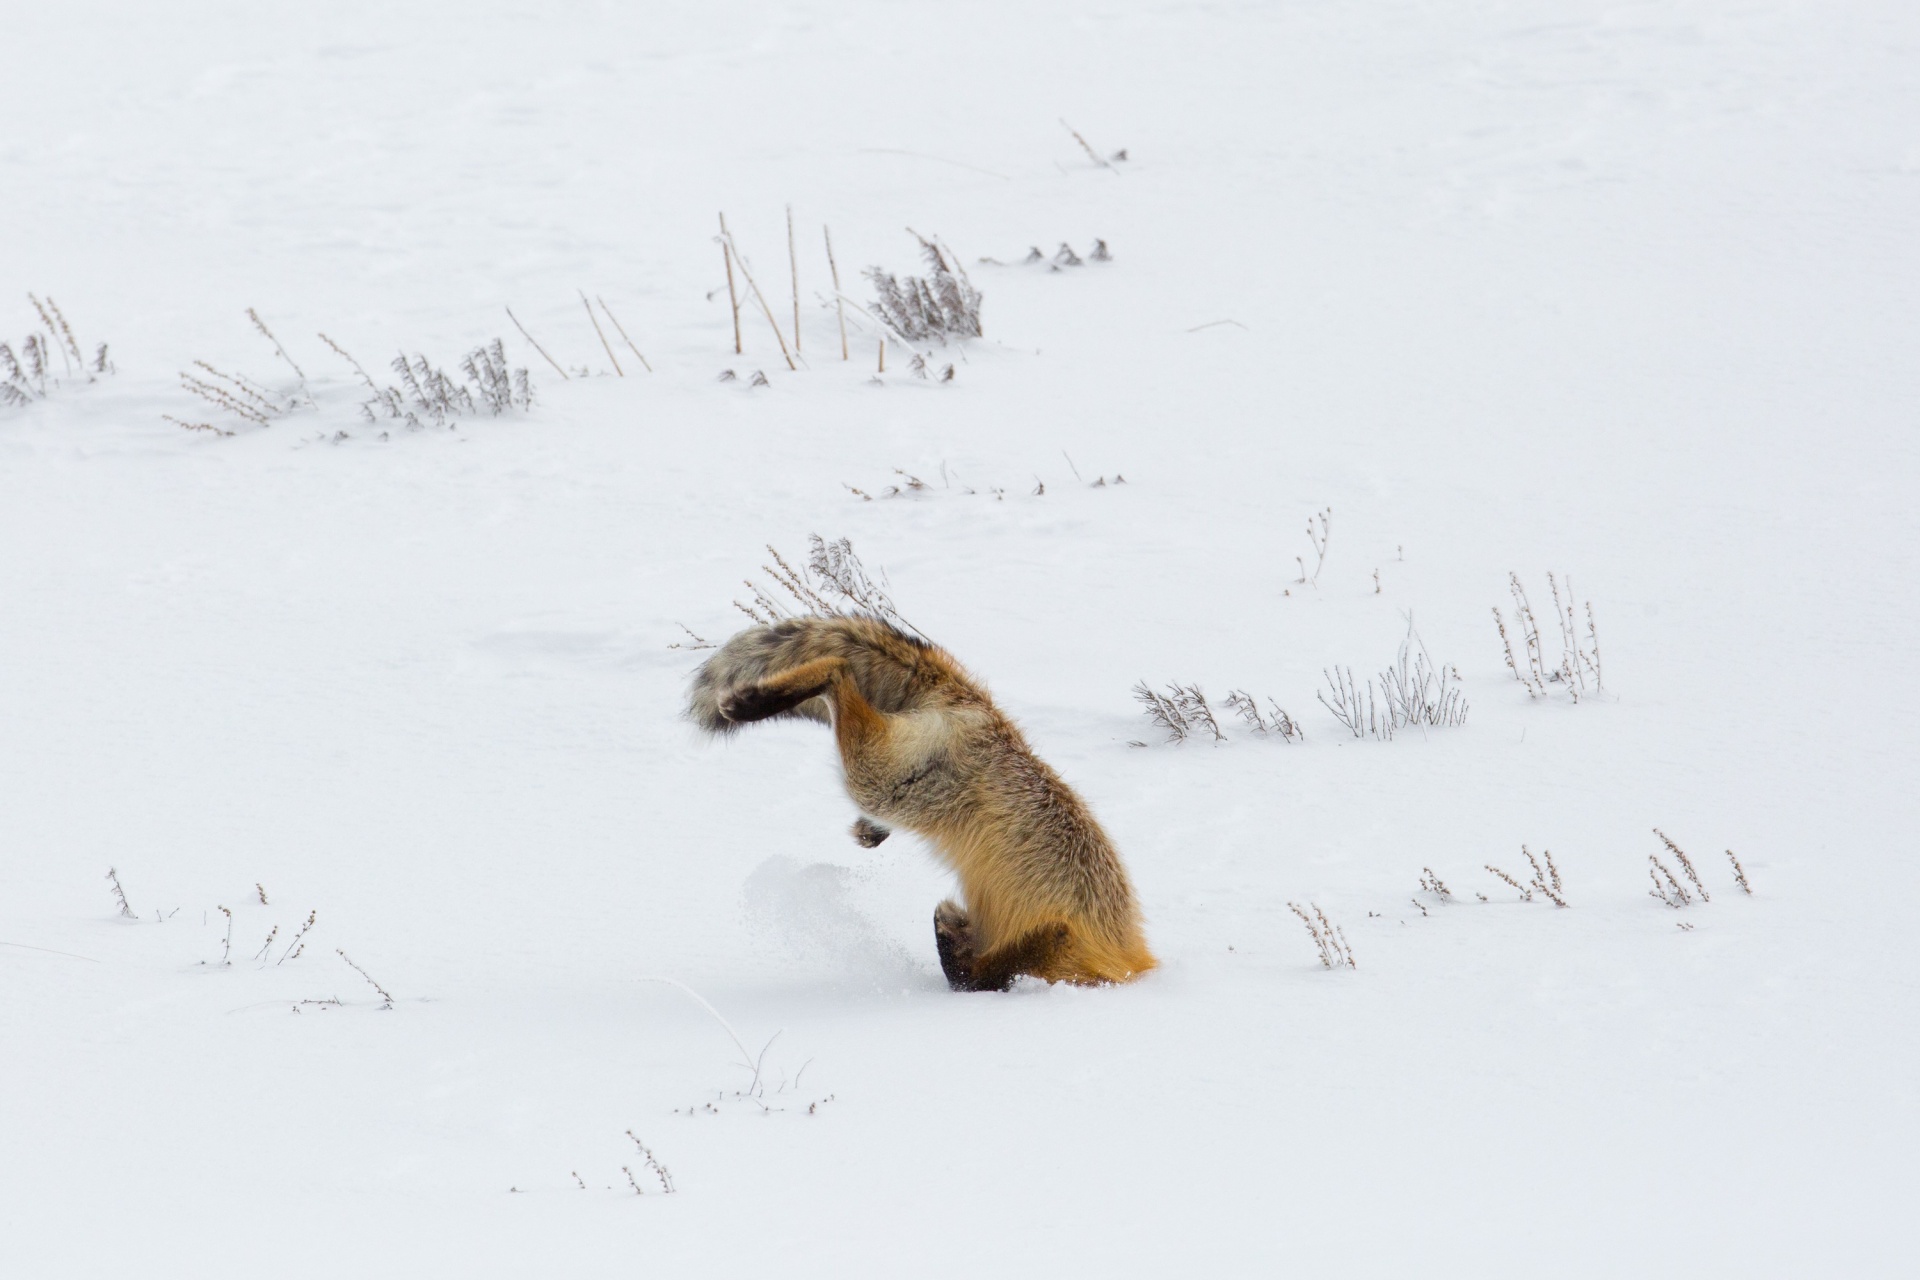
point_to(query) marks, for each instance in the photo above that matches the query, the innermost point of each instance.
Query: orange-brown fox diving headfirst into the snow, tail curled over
(926, 751)
